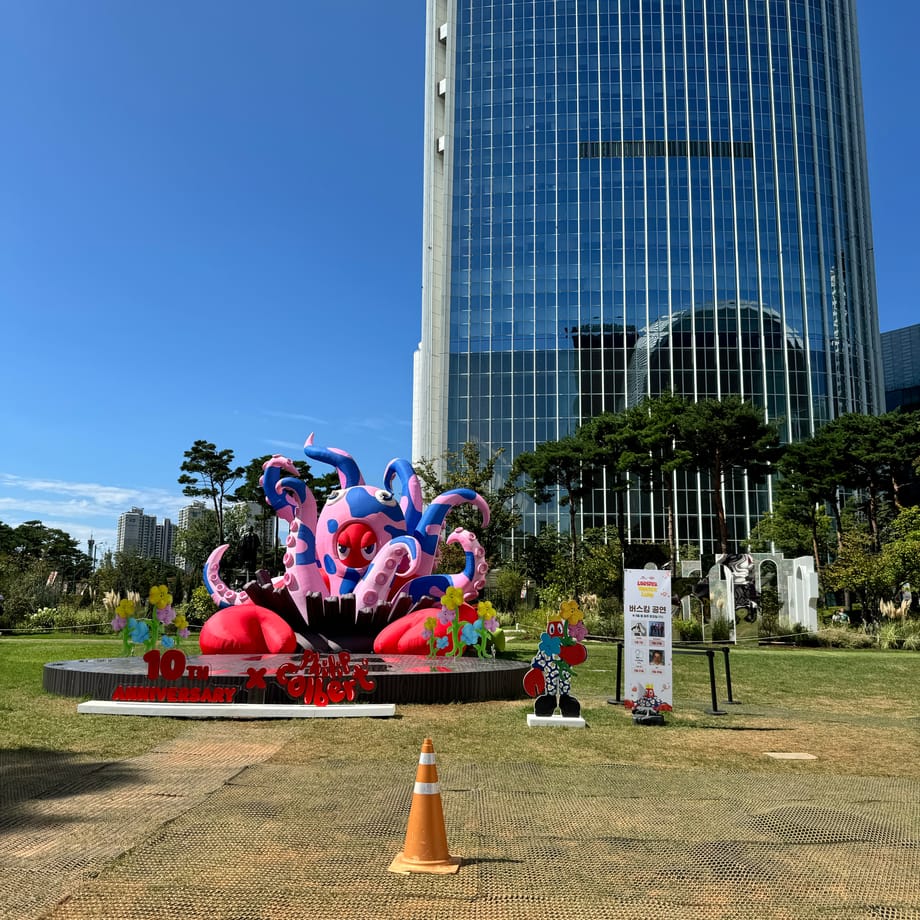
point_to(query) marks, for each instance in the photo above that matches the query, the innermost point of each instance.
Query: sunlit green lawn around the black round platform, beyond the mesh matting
(857, 711)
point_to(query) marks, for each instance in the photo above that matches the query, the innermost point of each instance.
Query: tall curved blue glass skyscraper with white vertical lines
(625, 197)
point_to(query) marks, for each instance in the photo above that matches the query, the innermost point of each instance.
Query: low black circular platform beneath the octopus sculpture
(398, 678)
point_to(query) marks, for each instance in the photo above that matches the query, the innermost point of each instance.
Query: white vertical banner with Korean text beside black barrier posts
(647, 645)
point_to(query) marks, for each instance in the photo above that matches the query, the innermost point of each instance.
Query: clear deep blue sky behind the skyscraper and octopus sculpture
(210, 227)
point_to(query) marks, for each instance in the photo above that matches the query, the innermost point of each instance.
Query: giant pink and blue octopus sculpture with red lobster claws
(351, 571)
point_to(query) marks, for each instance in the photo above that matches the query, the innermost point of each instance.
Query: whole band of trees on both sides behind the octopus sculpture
(848, 496)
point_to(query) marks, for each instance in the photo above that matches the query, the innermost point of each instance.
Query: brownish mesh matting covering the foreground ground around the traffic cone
(212, 825)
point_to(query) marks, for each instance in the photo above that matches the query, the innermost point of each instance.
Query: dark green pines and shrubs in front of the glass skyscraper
(848, 496)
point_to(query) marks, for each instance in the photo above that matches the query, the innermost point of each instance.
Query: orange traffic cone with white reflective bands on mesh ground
(425, 849)
